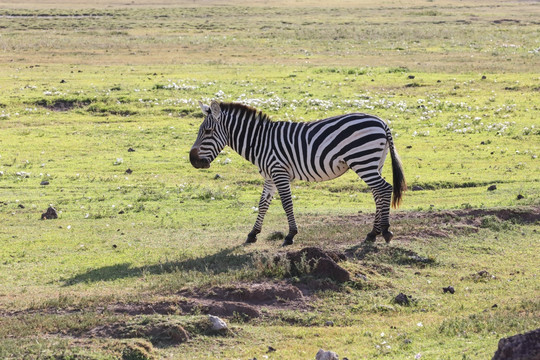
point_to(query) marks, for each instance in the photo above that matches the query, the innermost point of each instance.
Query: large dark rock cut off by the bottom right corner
(519, 347)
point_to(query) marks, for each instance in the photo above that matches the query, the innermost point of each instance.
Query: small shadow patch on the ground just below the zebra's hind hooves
(389, 254)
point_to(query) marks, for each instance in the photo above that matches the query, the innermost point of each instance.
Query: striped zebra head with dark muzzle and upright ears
(211, 138)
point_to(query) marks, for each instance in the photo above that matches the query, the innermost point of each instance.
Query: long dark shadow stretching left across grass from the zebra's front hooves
(223, 261)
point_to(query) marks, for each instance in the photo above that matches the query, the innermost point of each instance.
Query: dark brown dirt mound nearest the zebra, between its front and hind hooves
(320, 263)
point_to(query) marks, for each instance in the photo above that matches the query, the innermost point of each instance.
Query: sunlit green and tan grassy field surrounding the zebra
(137, 257)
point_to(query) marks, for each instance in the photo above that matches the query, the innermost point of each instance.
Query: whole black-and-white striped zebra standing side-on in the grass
(311, 151)
